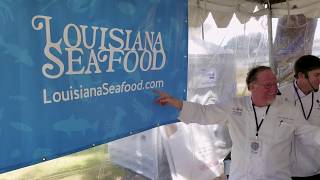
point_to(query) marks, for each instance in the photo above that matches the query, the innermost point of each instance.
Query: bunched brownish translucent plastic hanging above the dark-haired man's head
(294, 37)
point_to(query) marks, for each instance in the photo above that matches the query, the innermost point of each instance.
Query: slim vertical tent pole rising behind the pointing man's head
(271, 60)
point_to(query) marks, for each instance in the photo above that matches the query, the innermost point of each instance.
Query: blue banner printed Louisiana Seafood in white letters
(79, 73)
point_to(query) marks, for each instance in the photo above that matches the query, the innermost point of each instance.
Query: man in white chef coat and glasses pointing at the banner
(262, 128)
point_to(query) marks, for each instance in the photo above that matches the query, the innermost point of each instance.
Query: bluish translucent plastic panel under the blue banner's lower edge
(142, 153)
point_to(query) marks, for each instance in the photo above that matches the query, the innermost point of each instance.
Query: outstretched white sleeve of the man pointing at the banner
(204, 114)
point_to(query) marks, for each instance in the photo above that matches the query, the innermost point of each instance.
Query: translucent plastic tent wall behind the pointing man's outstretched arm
(218, 61)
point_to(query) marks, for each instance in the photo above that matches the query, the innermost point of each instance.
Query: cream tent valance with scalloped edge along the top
(223, 10)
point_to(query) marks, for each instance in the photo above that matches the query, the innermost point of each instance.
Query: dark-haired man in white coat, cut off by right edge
(303, 93)
